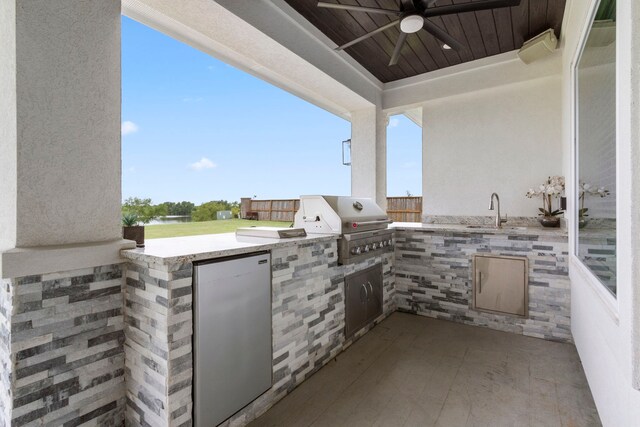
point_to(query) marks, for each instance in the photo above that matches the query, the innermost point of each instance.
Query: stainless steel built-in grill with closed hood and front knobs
(360, 223)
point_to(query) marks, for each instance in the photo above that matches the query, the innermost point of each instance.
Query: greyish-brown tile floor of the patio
(415, 371)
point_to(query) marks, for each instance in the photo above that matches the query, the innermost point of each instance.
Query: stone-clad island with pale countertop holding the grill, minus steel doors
(308, 307)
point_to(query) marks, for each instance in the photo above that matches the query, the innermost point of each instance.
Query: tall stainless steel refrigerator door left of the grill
(232, 335)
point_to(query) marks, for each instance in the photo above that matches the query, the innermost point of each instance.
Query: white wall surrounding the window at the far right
(606, 330)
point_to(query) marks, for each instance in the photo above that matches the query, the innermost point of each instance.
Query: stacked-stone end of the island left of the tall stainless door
(158, 330)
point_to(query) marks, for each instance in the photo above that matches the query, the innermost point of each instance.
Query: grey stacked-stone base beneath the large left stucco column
(61, 344)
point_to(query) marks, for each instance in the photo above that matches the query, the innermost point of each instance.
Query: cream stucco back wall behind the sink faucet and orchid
(504, 139)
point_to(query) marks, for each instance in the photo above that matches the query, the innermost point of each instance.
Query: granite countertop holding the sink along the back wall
(483, 229)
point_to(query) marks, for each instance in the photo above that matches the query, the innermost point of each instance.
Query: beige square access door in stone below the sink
(500, 284)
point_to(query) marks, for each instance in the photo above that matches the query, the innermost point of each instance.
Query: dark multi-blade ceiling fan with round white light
(413, 17)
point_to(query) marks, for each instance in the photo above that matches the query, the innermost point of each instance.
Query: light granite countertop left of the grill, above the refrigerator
(195, 248)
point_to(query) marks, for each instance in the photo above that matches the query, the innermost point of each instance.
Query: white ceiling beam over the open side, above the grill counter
(211, 28)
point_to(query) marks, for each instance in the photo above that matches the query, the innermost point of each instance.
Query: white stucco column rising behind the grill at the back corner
(369, 154)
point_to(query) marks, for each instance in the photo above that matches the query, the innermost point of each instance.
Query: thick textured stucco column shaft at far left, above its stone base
(59, 124)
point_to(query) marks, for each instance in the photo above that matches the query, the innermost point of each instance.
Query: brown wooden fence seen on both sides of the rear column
(399, 209)
